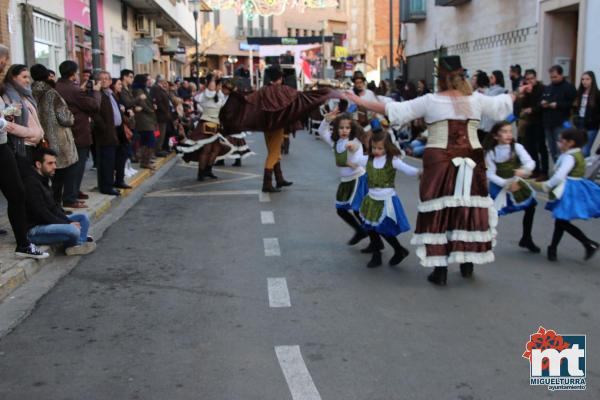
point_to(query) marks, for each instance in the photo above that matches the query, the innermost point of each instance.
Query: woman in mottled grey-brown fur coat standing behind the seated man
(56, 120)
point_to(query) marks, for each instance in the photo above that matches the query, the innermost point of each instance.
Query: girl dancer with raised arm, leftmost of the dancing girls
(348, 151)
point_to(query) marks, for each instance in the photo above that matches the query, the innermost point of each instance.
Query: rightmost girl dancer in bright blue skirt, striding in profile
(571, 195)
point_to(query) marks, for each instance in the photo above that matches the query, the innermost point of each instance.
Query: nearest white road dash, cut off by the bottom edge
(296, 374)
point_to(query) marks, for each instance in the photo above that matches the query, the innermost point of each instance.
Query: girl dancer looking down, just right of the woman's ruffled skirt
(507, 164)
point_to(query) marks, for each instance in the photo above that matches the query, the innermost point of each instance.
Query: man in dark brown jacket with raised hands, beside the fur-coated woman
(83, 106)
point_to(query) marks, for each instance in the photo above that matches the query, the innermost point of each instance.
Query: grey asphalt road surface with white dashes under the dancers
(174, 304)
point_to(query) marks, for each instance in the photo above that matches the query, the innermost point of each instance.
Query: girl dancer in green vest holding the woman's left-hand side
(381, 210)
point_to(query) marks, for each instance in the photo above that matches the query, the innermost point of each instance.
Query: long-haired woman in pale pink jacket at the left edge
(26, 131)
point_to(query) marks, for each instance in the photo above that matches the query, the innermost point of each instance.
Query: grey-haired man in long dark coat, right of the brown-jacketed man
(105, 135)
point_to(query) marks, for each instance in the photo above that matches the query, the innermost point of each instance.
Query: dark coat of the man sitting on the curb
(39, 202)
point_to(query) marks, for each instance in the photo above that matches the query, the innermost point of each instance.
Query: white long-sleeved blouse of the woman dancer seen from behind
(435, 108)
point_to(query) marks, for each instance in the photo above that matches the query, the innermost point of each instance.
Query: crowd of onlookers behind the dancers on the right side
(540, 112)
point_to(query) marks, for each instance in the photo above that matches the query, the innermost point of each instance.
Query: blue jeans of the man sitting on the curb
(61, 233)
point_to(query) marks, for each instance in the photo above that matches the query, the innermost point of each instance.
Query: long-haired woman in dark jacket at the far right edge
(587, 109)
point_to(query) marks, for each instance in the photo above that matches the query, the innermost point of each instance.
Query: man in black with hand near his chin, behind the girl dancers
(531, 111)
